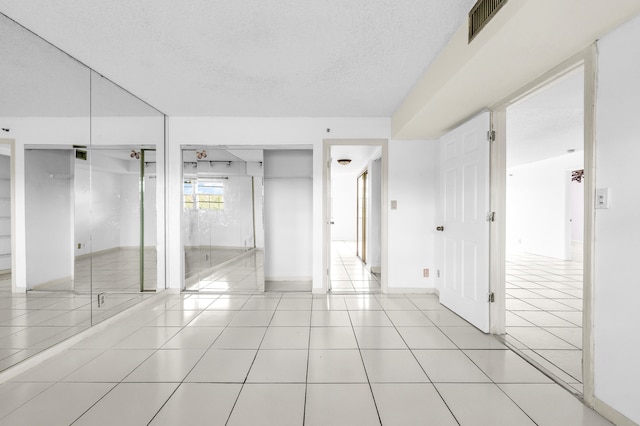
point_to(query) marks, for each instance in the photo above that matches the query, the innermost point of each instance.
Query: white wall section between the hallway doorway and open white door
(413, 184)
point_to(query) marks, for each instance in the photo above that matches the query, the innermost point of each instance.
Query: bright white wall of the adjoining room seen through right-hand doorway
(539, 206)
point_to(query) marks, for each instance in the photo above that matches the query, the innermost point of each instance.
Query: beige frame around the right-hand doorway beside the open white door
(588, 60)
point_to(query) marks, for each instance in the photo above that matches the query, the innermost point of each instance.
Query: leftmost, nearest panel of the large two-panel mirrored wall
(45, 110)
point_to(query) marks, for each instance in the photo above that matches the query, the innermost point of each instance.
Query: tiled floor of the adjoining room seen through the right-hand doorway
(544, 312)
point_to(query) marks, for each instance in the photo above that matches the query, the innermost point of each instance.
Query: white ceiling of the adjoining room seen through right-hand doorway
(548, 123)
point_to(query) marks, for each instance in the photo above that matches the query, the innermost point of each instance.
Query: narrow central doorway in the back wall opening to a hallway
(355, 187)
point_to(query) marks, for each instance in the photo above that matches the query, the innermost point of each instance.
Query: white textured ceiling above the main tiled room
(254, 57)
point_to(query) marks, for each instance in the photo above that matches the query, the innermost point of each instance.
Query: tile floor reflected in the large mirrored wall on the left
(33, 321)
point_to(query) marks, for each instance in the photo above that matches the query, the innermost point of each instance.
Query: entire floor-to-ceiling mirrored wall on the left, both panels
(84, 243)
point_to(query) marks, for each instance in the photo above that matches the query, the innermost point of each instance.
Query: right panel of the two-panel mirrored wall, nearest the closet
(126, 137)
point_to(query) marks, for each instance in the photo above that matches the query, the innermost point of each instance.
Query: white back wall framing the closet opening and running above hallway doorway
(258, 131)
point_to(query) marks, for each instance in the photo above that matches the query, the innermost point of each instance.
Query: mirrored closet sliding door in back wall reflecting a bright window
(223, 229)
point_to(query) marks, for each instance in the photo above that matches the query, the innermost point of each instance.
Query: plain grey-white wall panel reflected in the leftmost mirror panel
(49, 215)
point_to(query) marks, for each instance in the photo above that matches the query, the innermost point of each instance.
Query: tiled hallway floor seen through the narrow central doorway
(348, 273)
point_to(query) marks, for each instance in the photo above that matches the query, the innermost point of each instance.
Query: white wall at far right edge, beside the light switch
(617, 229)
